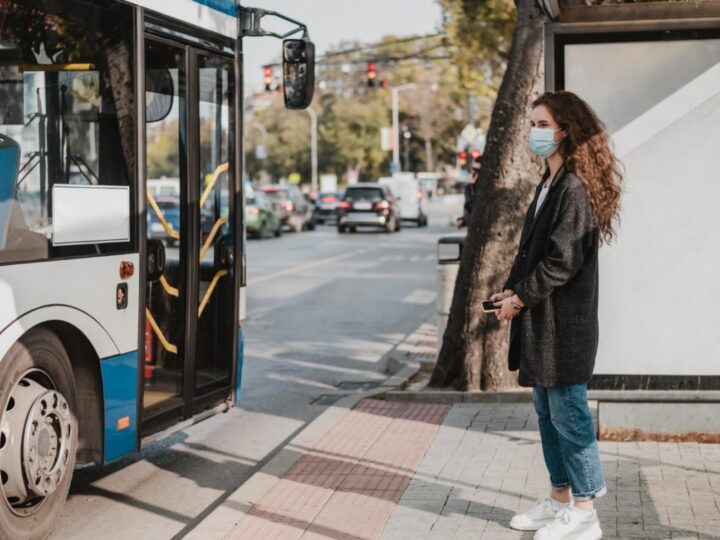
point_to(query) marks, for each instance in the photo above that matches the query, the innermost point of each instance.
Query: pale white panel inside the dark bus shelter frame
(660, 282)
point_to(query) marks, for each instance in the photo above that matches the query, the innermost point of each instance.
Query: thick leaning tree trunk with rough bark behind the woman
(474, 349)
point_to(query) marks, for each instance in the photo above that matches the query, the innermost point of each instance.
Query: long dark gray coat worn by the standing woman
(554, 339)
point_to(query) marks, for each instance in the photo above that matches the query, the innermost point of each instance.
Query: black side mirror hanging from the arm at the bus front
(298, 72)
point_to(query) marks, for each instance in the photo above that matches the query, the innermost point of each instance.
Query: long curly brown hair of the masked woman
(588, 153)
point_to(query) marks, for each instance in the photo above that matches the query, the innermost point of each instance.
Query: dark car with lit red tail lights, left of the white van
(368, 204)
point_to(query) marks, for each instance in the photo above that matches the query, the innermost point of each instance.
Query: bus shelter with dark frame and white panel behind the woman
(651, 71)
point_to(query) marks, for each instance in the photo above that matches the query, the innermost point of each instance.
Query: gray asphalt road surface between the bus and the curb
(323, 309)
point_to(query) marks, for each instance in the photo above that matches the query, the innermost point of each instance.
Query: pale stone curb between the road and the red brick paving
(223, 519)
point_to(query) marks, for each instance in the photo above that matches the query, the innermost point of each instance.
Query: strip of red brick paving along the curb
(347, 486)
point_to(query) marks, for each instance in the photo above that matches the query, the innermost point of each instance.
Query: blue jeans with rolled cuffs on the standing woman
(568, 439)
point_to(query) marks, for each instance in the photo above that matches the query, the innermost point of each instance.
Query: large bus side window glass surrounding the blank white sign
(67, 100)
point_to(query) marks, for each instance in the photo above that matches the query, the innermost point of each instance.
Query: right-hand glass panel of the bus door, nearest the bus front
(214, 359)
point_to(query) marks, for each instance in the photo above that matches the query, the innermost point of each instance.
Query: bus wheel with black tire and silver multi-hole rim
(38, 434)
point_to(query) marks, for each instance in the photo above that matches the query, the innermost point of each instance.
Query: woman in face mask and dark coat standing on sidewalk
(551, 296)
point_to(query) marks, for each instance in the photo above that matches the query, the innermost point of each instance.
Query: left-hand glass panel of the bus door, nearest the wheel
(167, 194)
